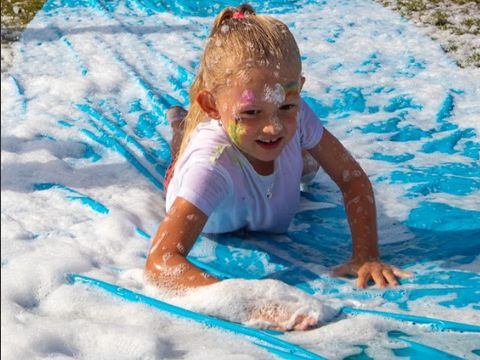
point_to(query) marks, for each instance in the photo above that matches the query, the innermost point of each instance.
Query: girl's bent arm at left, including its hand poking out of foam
(167, 267)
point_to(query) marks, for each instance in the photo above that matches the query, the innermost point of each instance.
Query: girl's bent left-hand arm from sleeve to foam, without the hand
(166, 264)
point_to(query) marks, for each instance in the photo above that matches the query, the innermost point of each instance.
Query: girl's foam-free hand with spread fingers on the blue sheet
(382, 274)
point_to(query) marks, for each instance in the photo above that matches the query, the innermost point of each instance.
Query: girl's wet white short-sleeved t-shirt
(216, 177)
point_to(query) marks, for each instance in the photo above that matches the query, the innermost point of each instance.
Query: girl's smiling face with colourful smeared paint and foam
(259, 112)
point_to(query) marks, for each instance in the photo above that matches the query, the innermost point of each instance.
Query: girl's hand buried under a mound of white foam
(265, 304)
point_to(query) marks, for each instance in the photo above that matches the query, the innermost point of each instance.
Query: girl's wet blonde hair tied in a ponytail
(239, 37)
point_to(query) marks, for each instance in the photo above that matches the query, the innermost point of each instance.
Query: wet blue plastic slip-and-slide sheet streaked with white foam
(402, 108)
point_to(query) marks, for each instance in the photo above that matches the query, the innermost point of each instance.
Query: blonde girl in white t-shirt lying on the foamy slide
(244, 145)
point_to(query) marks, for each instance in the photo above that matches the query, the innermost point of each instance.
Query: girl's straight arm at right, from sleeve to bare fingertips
(359, 204)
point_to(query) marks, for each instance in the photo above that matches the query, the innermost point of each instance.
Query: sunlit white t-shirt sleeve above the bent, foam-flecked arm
(204, 187)
